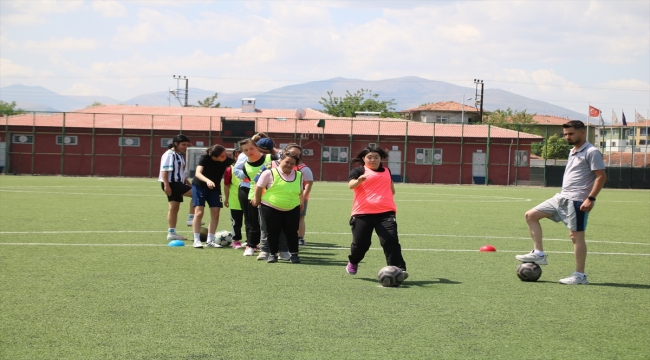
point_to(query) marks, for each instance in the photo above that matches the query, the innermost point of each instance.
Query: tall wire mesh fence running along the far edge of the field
(109, 144)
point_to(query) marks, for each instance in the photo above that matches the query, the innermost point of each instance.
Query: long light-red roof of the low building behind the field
(204, 119)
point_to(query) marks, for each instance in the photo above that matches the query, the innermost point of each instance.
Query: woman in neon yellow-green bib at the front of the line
(281, 204)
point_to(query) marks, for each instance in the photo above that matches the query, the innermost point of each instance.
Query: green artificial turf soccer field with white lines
(85, 273)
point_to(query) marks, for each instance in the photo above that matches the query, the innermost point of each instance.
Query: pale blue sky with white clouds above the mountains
(569, 53)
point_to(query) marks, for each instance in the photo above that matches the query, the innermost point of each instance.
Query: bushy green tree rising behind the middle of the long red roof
(362, 100)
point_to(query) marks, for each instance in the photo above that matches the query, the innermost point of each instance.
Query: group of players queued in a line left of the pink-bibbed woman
(266, 187)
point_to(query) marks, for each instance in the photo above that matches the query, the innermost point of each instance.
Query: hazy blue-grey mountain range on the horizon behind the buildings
(407, 92)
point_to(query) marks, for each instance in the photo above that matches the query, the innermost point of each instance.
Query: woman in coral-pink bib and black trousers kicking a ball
(373, 209)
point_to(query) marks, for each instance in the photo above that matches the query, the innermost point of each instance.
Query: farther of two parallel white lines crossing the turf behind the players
(312, 232)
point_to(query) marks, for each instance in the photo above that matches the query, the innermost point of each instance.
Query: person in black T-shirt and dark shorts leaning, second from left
(206, 187)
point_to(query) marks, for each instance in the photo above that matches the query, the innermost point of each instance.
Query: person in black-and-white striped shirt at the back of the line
(174, 184)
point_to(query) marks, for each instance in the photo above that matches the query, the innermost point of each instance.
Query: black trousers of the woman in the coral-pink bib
(385, 225)
